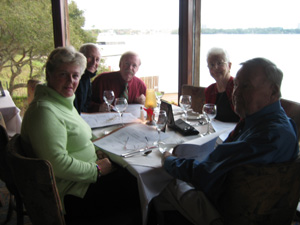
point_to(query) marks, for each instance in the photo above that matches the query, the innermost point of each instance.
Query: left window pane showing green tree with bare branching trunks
(26, 37)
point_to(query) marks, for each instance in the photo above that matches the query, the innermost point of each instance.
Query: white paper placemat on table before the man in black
(95, 120)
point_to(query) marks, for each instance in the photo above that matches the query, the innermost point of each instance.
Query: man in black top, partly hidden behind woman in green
(84, 90)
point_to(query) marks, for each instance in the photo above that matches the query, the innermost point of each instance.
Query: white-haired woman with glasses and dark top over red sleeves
(220, 93)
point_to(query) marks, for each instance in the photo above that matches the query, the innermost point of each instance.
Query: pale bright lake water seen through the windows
(159, 55)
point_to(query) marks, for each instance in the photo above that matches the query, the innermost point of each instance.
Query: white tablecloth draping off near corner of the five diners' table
(151, 179)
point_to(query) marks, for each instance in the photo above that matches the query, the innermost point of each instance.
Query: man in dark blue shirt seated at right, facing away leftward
(264, 135)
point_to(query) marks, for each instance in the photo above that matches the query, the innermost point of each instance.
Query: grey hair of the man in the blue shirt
(271, 71)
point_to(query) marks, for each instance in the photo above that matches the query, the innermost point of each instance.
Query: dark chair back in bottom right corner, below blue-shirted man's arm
(254, 194)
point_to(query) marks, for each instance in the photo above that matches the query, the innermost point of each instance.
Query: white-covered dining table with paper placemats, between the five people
(126, 145)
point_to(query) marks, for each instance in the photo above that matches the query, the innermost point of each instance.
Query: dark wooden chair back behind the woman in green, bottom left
(36, 184)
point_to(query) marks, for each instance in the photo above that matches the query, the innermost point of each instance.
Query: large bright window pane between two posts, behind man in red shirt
(149, 28)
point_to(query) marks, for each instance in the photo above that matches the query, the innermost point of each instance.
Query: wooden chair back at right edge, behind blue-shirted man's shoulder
(292, 109)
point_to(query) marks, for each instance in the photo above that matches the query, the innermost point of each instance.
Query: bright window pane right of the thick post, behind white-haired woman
(280, 48)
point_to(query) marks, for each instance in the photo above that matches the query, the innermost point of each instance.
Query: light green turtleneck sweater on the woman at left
(56, 132)
